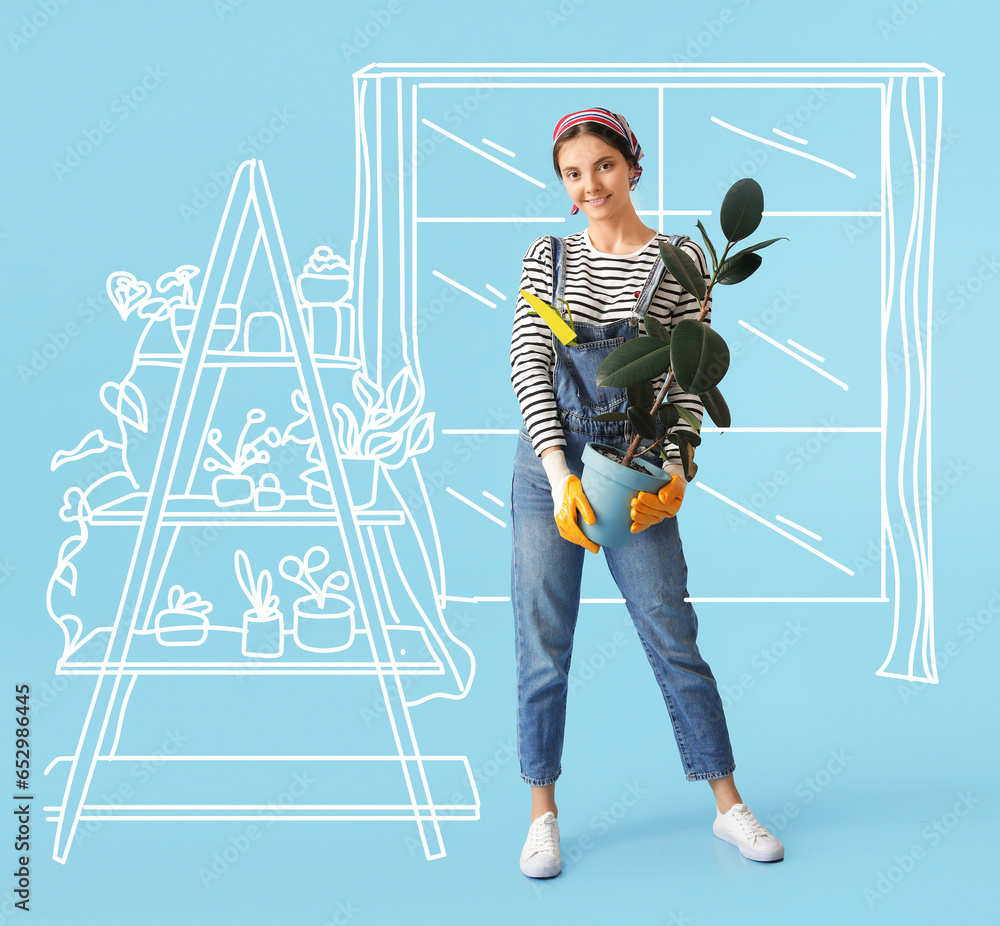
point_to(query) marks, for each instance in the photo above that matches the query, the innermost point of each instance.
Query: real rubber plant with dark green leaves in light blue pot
(692, 354)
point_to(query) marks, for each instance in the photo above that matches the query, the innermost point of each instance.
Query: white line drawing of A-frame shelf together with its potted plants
(350, 606)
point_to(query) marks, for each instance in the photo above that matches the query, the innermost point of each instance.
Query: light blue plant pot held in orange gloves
(610, 488)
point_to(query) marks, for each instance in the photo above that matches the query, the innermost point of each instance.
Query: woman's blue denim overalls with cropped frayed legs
(649, 570)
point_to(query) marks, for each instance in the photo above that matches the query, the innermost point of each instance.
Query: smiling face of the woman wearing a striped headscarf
(596, 176)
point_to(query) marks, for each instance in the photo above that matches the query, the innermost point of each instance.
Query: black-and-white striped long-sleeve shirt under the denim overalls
(599, 288)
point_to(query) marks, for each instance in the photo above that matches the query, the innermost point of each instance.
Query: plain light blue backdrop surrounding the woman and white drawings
(913, 750)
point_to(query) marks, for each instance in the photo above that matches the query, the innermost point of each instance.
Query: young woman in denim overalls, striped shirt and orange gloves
(596, 156)
